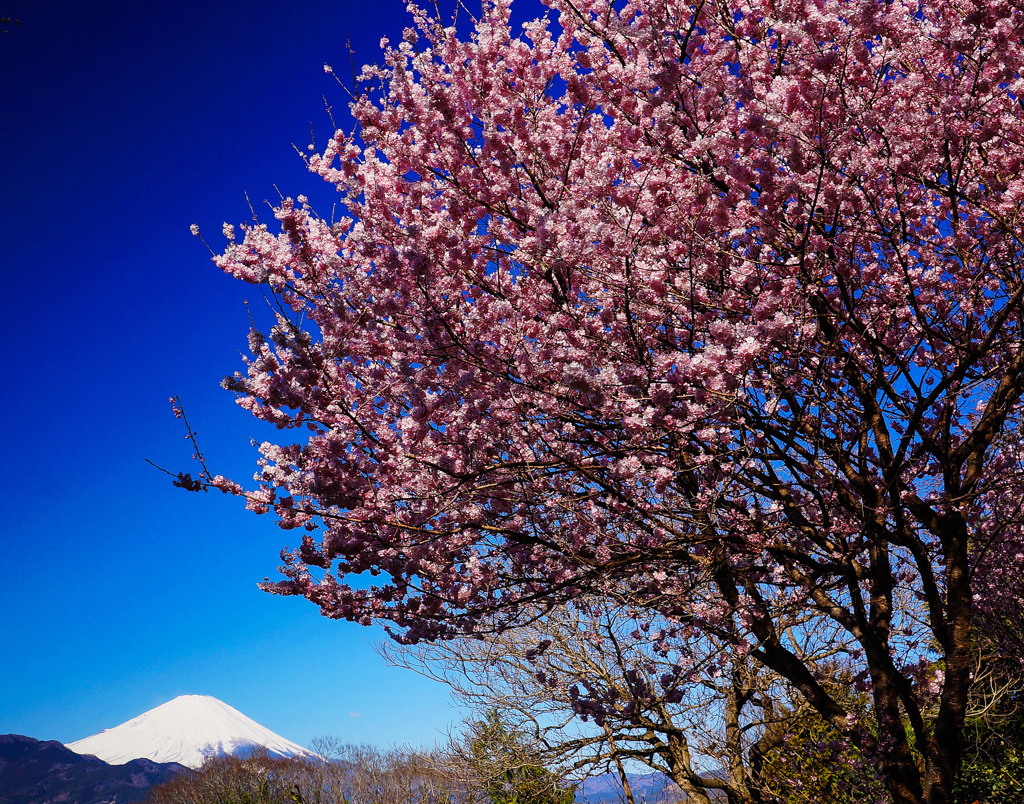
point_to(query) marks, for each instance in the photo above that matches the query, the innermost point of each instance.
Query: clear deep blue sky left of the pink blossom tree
(123, 123)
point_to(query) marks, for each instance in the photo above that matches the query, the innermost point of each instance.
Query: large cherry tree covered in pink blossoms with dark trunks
(657, 295)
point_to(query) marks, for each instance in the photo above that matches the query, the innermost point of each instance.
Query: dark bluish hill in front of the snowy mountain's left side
(46, 773)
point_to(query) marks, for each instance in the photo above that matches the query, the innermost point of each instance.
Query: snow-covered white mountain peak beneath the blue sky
(187, 731)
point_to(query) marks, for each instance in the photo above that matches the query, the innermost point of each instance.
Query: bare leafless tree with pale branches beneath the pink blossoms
(596, 690)
